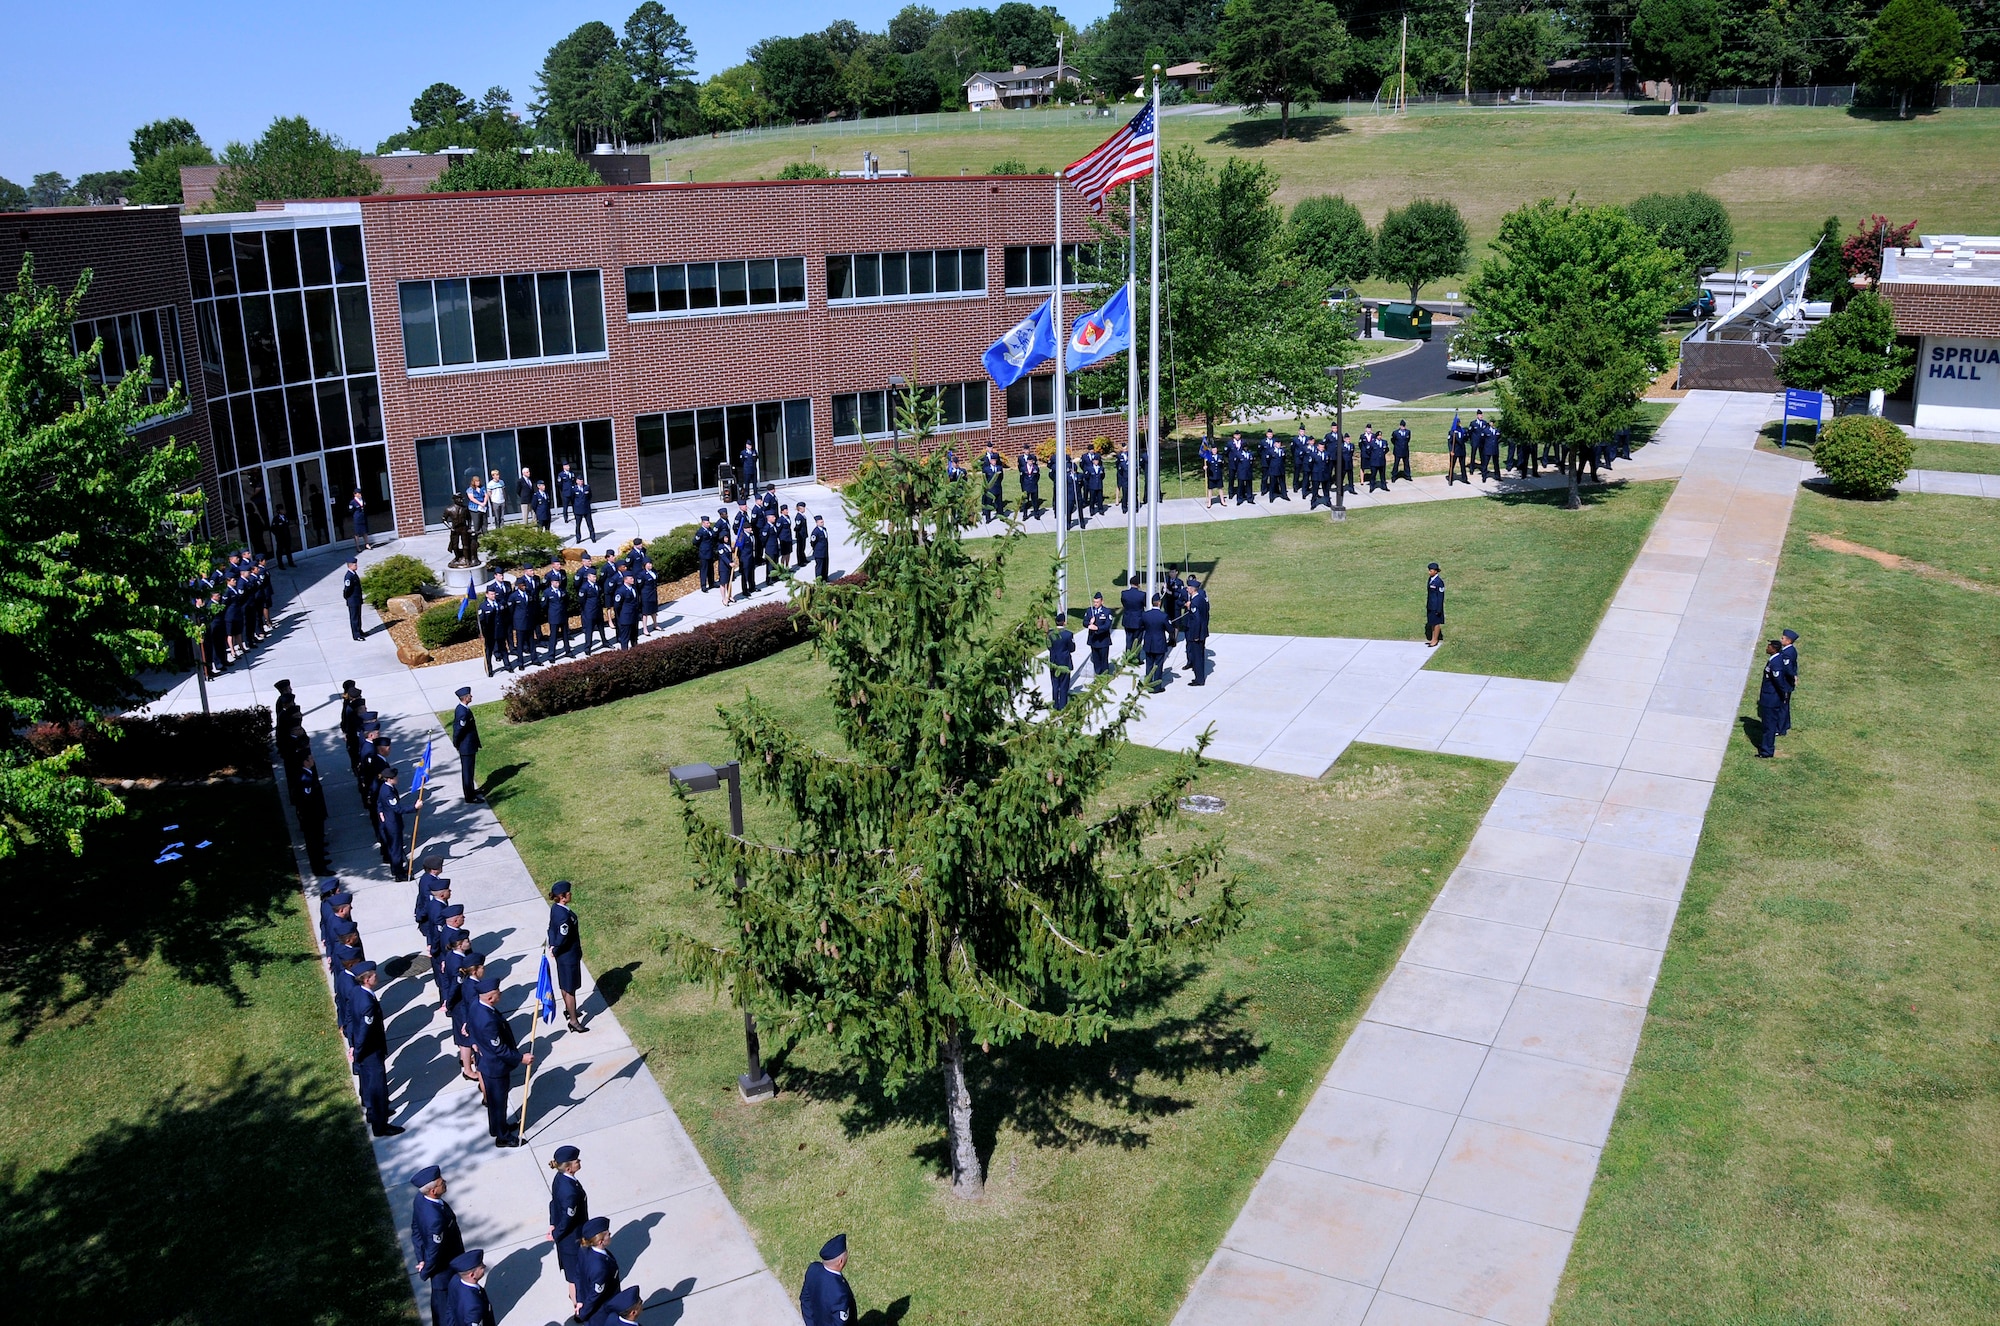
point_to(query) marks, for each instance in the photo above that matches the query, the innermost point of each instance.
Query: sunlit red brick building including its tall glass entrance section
(645, 335)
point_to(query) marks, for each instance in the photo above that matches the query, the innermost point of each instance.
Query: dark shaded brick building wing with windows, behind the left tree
(139, 301)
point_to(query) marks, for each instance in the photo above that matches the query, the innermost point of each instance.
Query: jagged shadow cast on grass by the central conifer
(1043, 1091)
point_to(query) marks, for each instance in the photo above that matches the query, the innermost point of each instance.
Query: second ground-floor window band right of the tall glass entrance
(685, 451)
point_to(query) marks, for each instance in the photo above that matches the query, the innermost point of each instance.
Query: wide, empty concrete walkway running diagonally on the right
(1441, 1171)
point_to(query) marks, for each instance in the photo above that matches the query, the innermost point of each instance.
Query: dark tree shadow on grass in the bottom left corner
(127, 1231)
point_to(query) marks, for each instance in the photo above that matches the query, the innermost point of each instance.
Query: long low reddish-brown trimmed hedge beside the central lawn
(621, 675)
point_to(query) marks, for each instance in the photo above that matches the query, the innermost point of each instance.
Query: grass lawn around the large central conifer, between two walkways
(1113, 1169)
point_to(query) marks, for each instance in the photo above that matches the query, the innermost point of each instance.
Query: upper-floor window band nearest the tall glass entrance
(501, 321)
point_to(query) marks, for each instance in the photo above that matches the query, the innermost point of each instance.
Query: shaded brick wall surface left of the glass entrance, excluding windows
(137, 261)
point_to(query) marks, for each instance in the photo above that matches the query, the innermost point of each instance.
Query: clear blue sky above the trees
(77, 81)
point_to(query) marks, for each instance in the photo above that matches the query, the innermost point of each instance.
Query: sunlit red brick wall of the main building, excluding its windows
(709, 361)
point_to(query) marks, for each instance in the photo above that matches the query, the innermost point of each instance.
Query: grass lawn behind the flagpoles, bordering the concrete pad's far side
(1529, 581)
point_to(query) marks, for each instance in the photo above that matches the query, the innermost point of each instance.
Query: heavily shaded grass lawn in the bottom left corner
(177, 1133)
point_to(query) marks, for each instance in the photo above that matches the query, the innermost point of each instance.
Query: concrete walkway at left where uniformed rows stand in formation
(673, 1229)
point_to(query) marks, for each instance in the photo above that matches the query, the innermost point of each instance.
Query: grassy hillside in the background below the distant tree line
(1779, 171)
